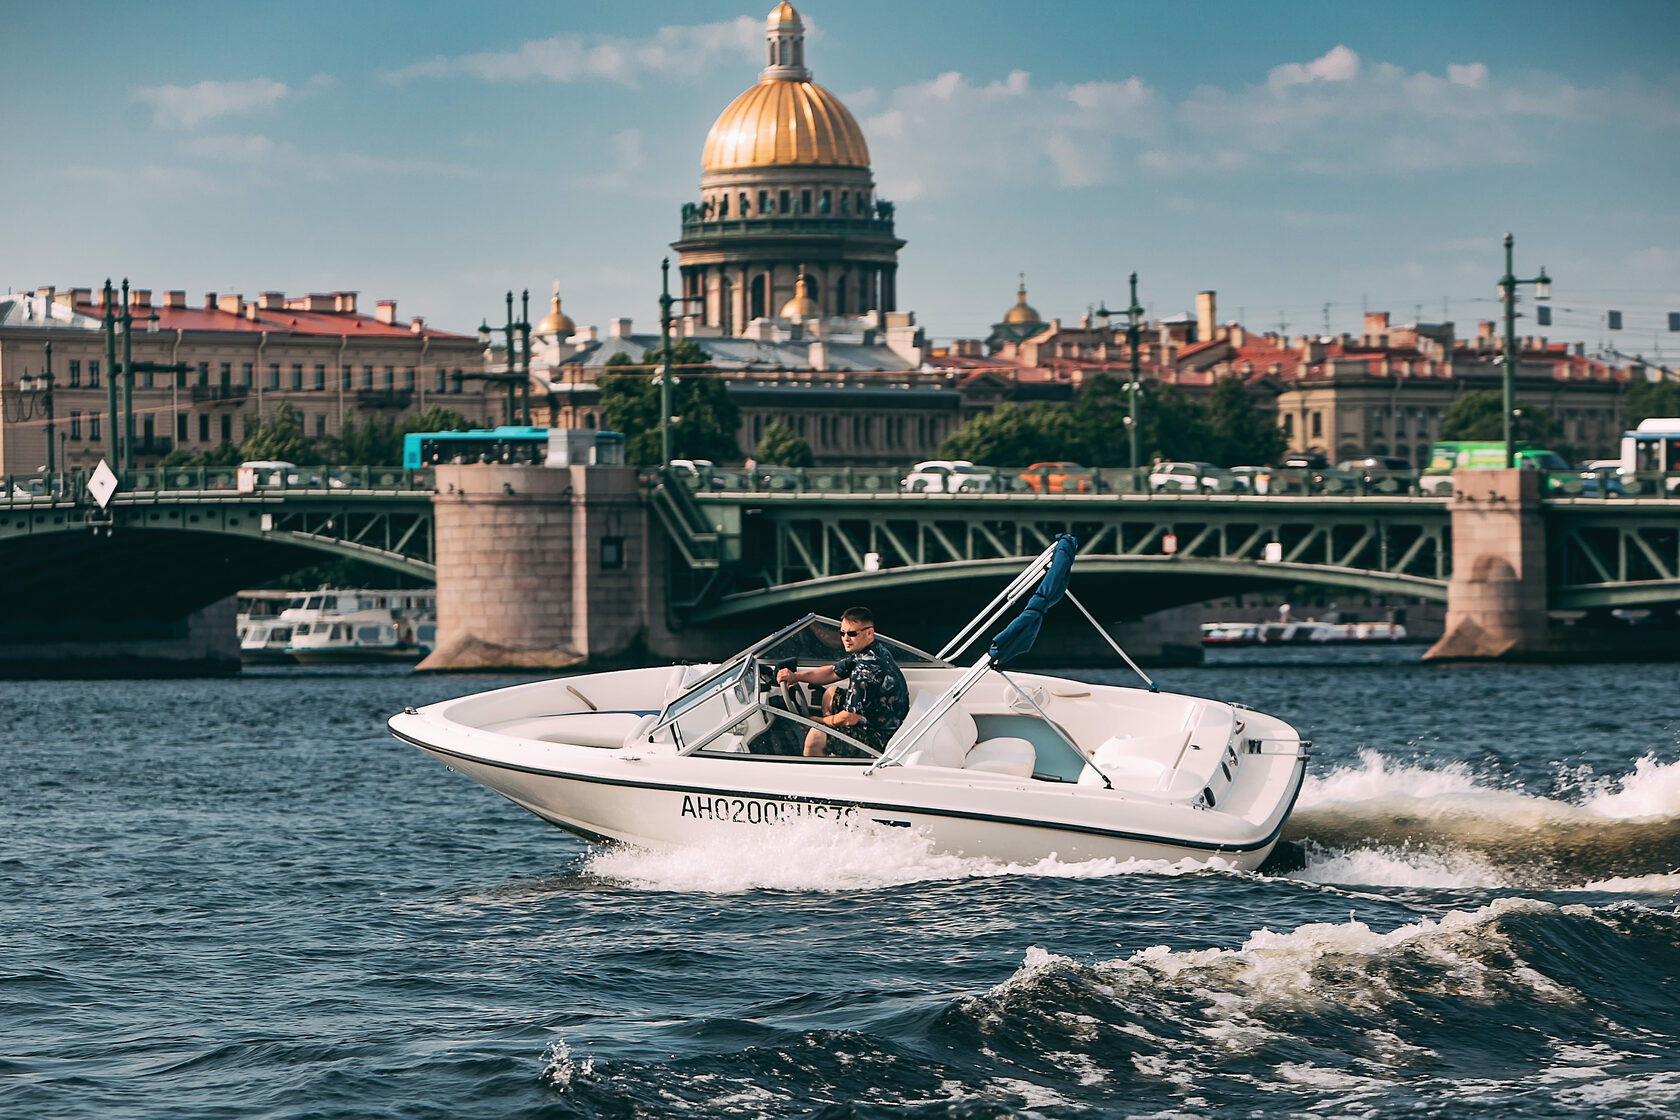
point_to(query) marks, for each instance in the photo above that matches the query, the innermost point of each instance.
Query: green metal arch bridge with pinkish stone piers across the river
(728, 560)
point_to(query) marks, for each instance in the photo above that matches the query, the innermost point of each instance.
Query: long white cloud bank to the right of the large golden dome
(1336, 115)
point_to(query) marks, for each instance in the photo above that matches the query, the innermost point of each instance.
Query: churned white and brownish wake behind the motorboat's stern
(1399, 825)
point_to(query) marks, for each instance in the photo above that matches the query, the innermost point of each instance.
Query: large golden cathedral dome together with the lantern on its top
(787, 120)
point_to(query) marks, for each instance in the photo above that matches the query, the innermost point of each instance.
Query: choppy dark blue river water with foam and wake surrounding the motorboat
(243, 899)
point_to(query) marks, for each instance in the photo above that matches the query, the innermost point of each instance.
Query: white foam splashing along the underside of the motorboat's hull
(827, 856)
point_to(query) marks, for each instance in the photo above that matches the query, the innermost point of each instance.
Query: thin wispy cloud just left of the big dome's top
(681, 53)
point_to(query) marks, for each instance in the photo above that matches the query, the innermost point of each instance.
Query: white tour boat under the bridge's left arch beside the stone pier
(364, 627)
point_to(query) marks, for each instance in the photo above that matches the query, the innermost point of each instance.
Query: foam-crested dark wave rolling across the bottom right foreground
(1462, 1013)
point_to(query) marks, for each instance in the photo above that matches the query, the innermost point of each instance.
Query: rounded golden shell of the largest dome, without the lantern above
(780, 123)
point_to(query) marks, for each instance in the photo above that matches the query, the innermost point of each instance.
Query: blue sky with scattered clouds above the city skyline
(1305, 160)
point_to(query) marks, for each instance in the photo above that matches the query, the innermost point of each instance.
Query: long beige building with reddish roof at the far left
(202, 374)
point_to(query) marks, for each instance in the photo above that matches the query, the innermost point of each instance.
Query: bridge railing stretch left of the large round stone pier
(73, 486)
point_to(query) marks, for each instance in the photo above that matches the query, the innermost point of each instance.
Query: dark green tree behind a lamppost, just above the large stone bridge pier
(705, 419)
